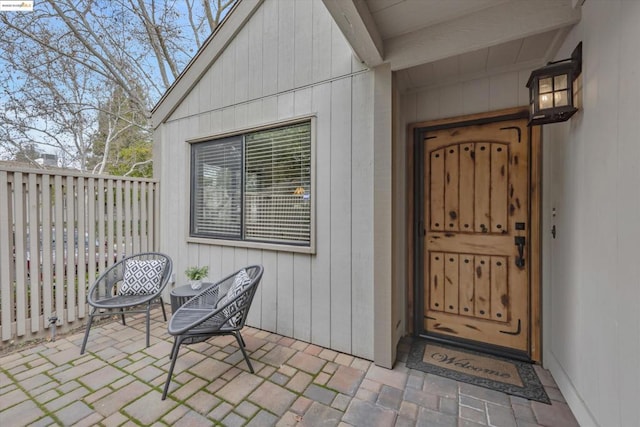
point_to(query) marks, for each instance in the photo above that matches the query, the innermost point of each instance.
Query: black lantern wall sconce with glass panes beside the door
(552, 90)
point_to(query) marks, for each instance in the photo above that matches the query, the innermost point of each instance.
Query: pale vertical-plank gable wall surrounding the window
(291, 60)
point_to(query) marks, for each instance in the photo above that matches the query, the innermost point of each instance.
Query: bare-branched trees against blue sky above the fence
(71, 67)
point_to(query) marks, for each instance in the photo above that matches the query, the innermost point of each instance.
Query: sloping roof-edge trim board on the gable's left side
(211, 49)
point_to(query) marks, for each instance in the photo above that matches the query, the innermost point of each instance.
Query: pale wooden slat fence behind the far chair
(58, 231)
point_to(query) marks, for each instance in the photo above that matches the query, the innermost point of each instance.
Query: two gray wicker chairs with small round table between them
(135, 283)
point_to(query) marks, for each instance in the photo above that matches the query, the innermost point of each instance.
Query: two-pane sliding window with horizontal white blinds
(254, 187)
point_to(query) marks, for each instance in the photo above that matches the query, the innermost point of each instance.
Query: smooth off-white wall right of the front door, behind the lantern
(592, 180)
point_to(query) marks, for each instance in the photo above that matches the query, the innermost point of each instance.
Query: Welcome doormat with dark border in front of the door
(492, 372)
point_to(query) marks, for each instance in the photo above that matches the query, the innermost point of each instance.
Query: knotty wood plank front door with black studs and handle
(476, 207)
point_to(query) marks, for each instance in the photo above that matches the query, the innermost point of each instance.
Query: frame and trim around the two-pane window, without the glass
(240, 243)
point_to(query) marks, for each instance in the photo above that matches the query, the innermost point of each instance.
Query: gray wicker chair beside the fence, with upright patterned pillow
(129, 286)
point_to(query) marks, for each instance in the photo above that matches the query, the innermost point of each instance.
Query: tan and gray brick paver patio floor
(119, 382)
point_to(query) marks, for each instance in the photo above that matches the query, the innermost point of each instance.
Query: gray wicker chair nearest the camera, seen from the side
(218, 310)
